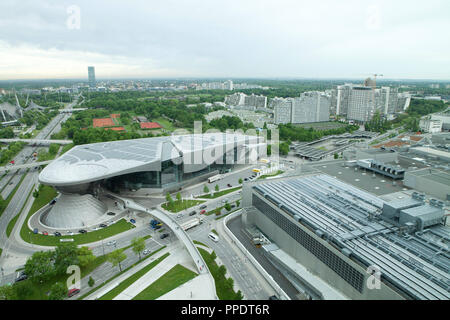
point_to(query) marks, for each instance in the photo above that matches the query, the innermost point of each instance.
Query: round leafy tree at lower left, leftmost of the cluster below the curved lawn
(39, 267)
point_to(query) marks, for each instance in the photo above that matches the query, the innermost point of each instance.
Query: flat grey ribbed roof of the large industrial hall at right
(418, 264)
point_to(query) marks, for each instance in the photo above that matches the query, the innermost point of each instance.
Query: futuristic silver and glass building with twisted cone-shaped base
(145, 166)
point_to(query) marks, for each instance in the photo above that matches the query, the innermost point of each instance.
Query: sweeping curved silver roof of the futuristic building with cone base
(97, 161)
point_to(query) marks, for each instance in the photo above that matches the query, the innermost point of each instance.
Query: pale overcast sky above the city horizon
(229, 39)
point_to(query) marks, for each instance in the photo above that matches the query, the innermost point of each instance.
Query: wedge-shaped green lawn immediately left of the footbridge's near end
(172, 279)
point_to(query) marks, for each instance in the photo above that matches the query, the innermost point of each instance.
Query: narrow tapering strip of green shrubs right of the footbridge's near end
(224, 286)
